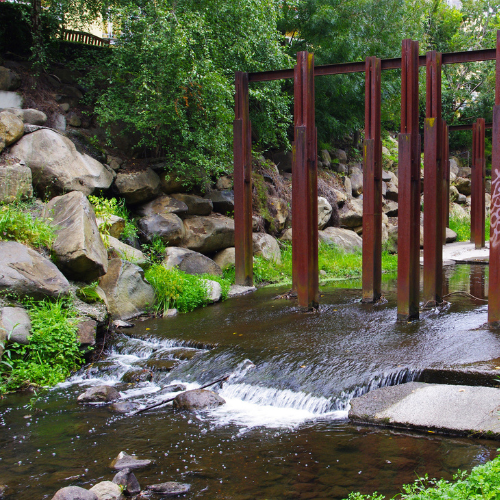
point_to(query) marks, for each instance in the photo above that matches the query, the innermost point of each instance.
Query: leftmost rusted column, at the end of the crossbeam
(242, 148)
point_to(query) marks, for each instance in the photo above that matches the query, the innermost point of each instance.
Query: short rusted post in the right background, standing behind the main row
(477, 212)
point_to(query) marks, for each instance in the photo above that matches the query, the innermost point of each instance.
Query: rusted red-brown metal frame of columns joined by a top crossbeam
(436, 179)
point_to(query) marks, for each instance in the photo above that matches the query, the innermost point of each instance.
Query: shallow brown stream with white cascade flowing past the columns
(284, 432)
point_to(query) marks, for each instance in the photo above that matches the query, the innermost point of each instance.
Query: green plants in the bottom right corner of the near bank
(483, 483)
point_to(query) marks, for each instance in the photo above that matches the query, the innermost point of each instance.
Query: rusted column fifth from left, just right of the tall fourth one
(433, 190)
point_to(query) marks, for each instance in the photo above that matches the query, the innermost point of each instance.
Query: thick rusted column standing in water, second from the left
(305, 186)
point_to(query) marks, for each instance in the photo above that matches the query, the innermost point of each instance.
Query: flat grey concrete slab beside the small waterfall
(445, 409)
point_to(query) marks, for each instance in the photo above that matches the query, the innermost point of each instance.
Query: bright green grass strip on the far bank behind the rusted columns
(336, 263)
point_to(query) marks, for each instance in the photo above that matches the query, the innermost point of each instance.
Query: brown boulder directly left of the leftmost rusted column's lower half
(208, 234)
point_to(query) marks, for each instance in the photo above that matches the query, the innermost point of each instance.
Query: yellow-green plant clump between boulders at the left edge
(18, 224)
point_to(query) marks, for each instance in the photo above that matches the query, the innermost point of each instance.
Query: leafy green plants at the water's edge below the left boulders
(53, 350)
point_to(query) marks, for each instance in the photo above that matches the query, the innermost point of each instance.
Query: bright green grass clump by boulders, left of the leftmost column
(177, 289)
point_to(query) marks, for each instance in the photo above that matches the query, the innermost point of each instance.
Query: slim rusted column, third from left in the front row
(372, 185)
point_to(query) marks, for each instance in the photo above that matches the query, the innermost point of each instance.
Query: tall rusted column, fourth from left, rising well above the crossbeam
(409, 187)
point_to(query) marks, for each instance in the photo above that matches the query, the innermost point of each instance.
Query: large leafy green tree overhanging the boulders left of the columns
(171, 78)
